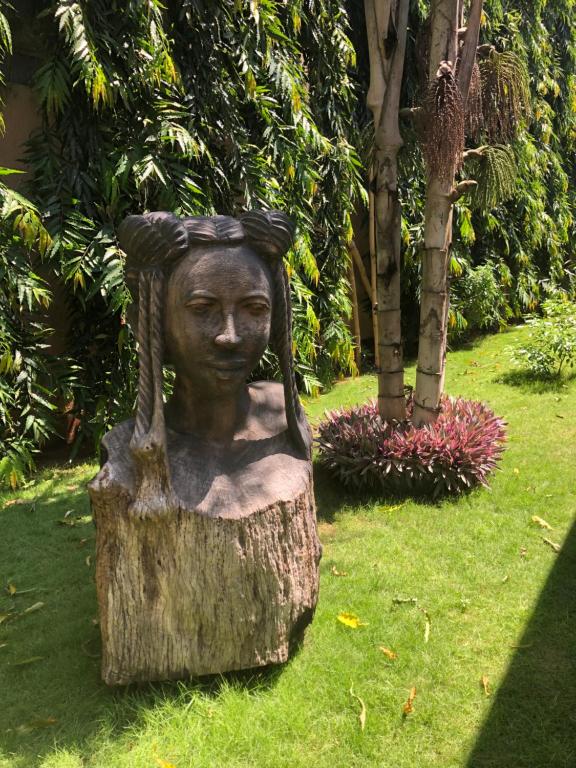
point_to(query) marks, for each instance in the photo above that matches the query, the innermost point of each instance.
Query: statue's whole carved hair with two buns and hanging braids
(154, 243)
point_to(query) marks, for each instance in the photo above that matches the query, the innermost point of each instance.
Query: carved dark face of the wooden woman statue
(217, 318)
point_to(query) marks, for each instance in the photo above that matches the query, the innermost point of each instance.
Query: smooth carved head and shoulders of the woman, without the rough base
(211, 294)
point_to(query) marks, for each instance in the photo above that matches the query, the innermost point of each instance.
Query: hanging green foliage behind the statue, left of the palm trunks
(198, 109)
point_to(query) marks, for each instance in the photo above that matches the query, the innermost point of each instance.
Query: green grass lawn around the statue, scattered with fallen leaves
(501, 603)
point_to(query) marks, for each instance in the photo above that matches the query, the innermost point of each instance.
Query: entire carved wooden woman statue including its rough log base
(207, 551)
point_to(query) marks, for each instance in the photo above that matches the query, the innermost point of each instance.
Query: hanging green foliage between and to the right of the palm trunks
(529, 233)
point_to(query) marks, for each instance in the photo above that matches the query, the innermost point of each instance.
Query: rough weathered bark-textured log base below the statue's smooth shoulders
(187, 594)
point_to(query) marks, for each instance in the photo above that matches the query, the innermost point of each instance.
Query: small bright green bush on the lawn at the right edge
(551, 344)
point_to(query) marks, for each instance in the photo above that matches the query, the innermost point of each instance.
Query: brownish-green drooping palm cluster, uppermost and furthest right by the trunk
(505, 94)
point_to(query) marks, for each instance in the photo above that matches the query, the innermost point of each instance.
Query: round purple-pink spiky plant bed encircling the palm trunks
(451, 456)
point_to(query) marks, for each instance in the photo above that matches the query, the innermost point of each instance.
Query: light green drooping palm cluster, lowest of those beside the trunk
(496, 173)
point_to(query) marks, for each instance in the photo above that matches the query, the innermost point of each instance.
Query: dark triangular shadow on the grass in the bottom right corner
(532, 722)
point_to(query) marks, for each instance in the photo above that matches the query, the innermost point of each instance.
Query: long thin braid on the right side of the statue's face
(282, 342)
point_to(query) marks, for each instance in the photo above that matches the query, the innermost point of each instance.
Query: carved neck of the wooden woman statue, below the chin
(216, 419)
